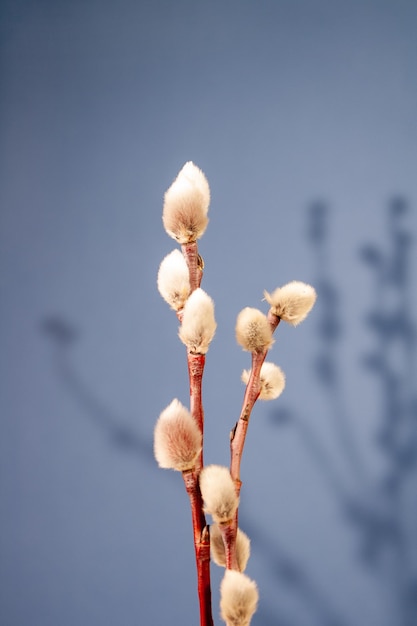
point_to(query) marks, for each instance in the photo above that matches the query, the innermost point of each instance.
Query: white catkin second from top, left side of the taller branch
(174, 280)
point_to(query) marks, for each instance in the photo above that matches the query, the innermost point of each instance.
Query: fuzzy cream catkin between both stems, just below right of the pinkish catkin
(218, 491)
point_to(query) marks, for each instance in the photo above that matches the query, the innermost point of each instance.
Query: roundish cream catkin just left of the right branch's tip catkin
(253, 331)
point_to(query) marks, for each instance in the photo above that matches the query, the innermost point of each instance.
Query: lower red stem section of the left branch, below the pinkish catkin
(201, 546)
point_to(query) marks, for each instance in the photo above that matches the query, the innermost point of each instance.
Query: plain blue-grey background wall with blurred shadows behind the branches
(303, 115)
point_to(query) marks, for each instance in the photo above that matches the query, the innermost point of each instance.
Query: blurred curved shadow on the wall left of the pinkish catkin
(63, 335)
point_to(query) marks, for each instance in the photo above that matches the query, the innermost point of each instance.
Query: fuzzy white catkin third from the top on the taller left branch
(198, 323)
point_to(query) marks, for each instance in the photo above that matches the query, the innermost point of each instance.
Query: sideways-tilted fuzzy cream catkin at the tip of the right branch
(292, 302)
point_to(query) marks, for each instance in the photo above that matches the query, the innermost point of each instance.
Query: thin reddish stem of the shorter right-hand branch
(237, 441)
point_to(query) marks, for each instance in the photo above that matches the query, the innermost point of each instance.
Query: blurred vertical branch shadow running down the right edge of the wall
(392, 362)
